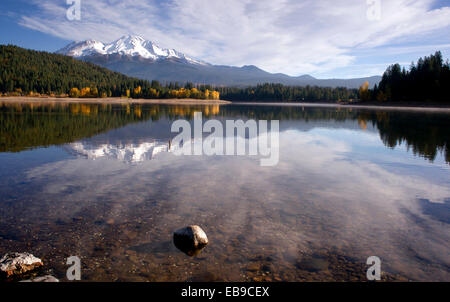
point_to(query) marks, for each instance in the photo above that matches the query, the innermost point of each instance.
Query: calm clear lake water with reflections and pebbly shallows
(99, 182)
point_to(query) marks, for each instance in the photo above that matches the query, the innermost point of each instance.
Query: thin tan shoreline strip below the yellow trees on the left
(66, 100)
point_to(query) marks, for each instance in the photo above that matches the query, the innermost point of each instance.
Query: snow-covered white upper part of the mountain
(133, 46)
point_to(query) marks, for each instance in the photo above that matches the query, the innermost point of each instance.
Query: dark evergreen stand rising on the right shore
(426, 81)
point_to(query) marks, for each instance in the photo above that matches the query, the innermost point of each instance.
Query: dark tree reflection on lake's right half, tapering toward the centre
(426, 134)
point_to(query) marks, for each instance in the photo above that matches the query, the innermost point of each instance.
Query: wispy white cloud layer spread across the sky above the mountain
(277, 35)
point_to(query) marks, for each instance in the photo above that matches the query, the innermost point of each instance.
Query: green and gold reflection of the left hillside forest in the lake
(24, 126)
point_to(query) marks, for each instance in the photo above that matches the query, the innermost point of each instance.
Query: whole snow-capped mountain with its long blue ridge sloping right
(137, 57)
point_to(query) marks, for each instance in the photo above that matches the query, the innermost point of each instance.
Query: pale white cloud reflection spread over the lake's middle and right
(320, 193)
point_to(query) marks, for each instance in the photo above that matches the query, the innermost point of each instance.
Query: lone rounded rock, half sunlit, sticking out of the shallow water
(190, 240)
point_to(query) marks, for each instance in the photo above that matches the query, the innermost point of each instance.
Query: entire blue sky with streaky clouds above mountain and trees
(323, 38)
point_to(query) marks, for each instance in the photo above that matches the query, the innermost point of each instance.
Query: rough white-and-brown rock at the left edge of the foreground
(13, 264)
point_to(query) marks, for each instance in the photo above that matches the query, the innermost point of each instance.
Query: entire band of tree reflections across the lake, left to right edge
(26, 126)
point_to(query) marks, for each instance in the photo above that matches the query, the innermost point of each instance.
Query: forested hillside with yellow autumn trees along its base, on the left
(26, 72)
